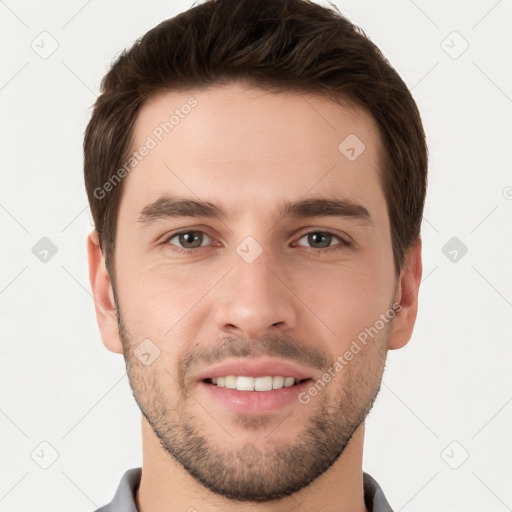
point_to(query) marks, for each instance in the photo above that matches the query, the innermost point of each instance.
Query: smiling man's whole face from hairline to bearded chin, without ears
(257, 293)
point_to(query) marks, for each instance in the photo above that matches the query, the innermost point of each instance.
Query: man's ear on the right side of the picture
(407, 295)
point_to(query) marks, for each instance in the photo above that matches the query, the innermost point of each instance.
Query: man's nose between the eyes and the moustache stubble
(255, 299)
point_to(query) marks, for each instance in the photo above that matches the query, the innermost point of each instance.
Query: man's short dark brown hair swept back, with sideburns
(279, 45)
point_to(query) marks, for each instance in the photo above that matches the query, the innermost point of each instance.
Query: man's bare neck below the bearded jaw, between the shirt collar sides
(166, 485)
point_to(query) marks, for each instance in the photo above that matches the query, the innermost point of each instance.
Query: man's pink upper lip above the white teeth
(255, 368)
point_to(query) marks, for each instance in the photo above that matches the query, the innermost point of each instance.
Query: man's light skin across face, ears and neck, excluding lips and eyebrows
(247, 150)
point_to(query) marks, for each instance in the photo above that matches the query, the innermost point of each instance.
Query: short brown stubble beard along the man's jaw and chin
(250, 472)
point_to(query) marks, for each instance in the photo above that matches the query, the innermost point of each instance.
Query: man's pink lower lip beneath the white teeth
(255, 402)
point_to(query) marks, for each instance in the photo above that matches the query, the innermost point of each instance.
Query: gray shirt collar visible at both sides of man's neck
(124, 500)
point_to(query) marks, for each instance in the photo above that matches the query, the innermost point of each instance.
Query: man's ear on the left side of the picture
(103, 295)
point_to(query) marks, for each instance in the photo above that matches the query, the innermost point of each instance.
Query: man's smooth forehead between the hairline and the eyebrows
(236, 141)
